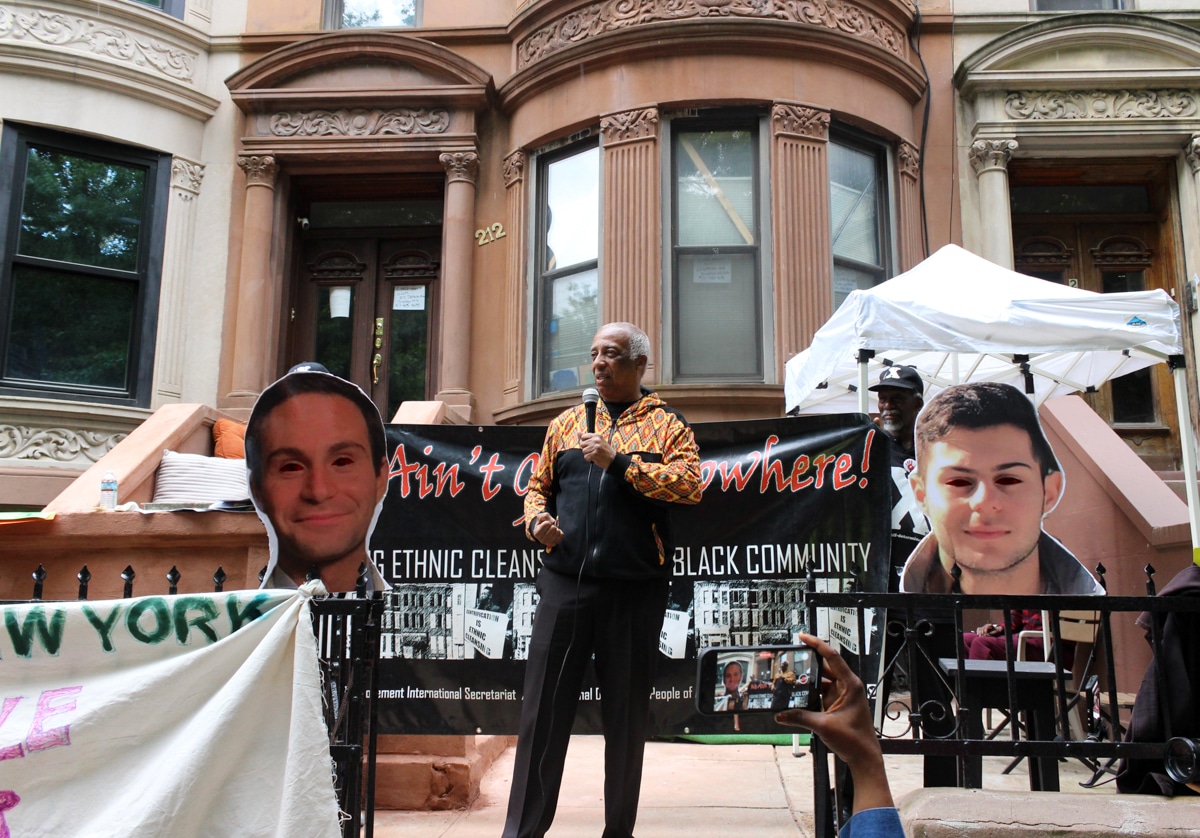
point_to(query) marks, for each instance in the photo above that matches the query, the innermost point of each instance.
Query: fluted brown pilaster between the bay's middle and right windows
(802, 266)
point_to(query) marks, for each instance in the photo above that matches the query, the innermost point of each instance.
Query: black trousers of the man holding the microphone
(620, 624)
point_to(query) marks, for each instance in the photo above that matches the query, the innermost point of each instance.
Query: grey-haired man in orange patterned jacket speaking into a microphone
(601, 502)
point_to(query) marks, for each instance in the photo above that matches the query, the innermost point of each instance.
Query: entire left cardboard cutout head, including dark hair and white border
(319, 472)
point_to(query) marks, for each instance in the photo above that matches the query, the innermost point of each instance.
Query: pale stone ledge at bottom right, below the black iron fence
(957, 813)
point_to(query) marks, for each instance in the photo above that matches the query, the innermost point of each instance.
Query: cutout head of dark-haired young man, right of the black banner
(986, 490)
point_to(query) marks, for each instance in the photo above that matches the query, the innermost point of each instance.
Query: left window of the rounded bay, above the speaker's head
(567, 265)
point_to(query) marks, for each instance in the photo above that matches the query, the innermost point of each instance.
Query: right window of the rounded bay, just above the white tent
(859, 214)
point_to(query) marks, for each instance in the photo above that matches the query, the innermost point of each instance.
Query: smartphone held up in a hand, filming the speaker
(758, 680)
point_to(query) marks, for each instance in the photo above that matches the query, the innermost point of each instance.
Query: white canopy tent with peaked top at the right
(959, 319)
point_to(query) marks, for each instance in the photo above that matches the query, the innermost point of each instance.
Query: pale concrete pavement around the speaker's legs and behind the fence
(688, 789)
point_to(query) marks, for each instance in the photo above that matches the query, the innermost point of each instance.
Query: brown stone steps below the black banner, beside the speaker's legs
(431, 774)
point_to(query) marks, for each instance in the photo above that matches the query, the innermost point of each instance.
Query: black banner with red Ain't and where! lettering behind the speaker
(783, 499)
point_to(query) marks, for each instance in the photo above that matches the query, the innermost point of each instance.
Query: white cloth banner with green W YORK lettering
(164, 716)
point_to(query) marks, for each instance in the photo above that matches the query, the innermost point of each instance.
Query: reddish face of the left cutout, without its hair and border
(320, 487)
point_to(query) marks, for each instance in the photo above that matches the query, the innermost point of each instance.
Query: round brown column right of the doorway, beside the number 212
(458, 262)
